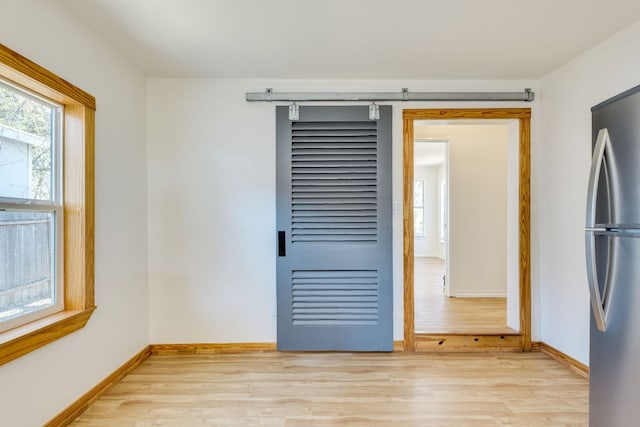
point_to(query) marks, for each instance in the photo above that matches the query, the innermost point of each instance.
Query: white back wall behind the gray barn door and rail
(211, 178)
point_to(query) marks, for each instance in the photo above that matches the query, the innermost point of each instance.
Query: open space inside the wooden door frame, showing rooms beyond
(466, 290)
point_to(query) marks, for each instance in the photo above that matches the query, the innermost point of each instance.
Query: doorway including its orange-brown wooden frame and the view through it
(464, 263)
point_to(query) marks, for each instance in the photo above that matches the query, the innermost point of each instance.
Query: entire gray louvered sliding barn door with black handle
(334, 275)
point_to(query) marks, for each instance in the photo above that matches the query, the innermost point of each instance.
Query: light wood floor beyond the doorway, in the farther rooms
(437, 313)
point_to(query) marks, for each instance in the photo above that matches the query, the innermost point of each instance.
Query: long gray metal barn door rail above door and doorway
(404, 95)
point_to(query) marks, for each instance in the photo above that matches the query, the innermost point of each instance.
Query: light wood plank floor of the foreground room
(355, 389)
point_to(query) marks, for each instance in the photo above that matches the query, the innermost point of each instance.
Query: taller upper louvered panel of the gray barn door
(333, 173)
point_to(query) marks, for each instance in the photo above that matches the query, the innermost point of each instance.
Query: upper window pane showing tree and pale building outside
(26, 148)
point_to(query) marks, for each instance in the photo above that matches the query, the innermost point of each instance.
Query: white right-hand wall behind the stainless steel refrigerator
(565, 150)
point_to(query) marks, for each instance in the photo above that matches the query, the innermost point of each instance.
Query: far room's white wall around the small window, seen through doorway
(427, 245)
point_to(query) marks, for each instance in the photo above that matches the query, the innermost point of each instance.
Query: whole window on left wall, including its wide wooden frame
(46, 223)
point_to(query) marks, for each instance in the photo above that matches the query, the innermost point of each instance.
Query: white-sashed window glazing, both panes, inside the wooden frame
(31, 218)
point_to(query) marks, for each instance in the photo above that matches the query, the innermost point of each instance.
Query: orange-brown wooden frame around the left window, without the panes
(78, 205)
